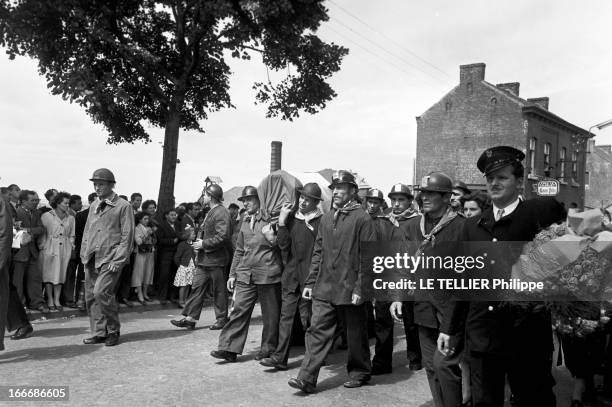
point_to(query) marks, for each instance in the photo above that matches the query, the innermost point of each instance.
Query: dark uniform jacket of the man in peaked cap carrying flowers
(490, 327)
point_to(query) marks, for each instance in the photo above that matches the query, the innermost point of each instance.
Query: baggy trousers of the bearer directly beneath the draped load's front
(234, 333)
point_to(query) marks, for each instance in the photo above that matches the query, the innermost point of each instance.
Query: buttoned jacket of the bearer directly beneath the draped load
(256, 261)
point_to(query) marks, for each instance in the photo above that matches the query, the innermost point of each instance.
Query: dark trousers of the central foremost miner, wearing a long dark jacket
(320, 334)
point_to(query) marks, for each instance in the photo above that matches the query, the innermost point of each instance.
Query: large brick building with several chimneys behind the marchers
(476, 115)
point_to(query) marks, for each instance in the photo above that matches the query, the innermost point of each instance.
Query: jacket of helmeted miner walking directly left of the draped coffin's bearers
(215, 235)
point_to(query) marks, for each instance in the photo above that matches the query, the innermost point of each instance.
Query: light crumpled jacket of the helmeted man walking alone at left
(109, 233)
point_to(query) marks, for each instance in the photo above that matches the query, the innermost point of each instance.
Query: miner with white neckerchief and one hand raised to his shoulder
(296, 237)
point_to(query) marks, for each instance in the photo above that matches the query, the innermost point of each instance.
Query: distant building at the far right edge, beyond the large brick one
(598, 176)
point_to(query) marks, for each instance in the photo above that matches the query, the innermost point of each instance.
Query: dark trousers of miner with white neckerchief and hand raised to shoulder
(292, 301)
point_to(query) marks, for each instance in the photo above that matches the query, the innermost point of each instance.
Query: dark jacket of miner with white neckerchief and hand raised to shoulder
(296, 242)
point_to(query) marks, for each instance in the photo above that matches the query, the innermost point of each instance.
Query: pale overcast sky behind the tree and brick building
(404, 56)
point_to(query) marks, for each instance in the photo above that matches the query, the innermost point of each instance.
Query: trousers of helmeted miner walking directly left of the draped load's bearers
(203, 277)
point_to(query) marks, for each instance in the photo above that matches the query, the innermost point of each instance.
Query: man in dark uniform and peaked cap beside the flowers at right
(512, 341)
